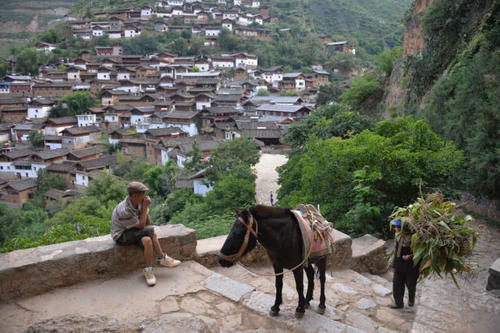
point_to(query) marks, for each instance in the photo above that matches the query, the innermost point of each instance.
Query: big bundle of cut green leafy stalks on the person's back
(442, 235)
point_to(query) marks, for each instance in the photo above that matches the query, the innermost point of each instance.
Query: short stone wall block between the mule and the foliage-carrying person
(368, 255)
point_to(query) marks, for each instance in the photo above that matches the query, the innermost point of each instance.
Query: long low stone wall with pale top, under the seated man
(37, 270)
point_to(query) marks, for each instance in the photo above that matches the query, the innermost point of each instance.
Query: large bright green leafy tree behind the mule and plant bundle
(358, 180)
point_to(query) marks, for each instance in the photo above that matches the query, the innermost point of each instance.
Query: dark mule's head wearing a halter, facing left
(235, 241)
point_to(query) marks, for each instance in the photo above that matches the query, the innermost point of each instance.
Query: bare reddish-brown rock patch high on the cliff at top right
(413, 40)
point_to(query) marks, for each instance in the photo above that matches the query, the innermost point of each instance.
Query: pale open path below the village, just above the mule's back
(267, 177)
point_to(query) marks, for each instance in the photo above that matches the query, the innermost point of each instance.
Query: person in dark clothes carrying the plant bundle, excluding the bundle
(405, 272)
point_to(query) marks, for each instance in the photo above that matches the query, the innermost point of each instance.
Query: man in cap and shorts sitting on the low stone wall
(131, 225)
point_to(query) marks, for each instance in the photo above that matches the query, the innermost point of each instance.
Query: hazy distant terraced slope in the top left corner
(20, 20)
